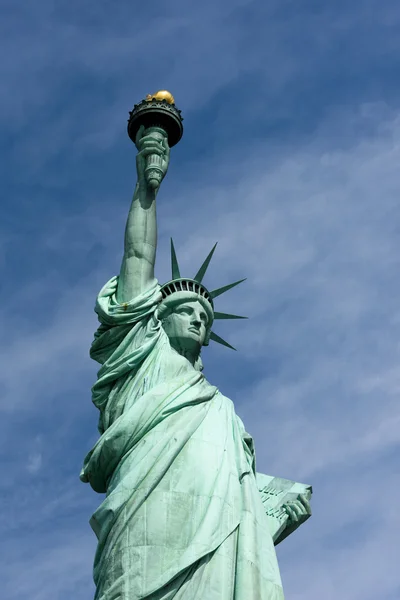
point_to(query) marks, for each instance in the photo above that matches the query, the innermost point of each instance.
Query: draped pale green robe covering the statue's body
(182, 517)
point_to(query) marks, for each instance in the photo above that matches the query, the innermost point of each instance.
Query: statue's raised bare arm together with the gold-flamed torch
(154, 125)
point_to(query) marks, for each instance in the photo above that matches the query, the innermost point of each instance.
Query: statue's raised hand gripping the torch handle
(152, 143)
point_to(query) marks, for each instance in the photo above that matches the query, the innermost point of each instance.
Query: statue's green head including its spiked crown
(187, 310)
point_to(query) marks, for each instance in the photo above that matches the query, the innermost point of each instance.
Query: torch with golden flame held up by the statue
(159, 115)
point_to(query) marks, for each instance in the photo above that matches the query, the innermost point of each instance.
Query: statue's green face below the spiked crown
(186, 326)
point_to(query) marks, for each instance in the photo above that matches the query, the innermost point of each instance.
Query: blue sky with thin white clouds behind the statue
(290, 159)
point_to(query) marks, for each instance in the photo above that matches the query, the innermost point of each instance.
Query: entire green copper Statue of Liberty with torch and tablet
(185, 515)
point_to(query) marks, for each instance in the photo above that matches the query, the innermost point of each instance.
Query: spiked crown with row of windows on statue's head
(183, 284)
